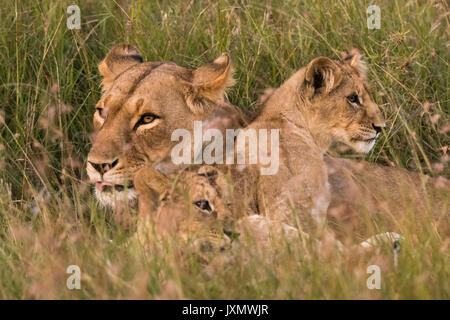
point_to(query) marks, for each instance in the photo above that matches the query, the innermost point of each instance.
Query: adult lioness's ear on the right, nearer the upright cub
(210, 82)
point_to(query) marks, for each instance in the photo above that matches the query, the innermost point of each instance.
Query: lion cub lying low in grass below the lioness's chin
(196, 206)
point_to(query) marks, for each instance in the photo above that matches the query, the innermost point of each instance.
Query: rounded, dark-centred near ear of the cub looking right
(322, 74)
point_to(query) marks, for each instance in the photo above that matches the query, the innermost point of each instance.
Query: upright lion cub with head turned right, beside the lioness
(325, 101)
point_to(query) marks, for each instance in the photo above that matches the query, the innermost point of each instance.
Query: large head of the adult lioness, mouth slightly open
(141, 105)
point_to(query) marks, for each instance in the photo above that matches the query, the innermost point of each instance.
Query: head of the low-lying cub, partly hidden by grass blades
(193, 205)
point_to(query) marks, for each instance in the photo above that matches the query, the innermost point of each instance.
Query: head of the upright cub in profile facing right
(338, 104)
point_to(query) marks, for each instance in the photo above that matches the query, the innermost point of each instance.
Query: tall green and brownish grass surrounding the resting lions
(49, 85)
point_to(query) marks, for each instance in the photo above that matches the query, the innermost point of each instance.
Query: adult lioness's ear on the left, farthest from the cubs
(118, 59)
